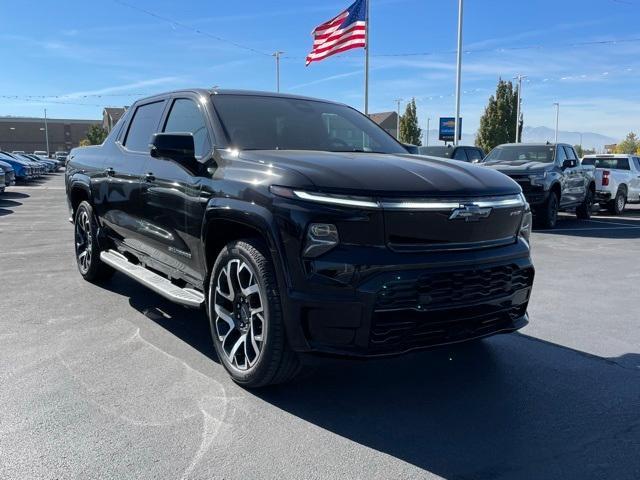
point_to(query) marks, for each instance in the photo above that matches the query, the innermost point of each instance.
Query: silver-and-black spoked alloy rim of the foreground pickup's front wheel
(240, 324)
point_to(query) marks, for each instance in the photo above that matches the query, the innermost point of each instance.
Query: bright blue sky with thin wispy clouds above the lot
(71, 51)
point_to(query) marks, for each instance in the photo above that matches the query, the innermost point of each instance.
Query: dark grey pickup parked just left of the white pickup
(551, 178)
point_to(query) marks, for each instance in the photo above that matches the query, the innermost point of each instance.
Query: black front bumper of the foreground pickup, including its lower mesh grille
(400, 302)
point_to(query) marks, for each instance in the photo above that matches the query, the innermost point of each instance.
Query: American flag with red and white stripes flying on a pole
(345, 31)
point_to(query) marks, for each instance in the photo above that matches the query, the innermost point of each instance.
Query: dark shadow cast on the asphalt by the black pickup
(510, 406)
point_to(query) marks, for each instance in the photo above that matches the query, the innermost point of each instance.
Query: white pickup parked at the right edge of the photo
(617, 180)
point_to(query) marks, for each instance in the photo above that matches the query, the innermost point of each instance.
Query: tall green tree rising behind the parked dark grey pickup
(498, 123)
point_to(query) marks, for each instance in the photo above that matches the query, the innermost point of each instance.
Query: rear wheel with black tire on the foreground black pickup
(87, 247)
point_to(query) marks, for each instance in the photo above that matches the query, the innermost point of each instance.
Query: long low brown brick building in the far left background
(28, 134)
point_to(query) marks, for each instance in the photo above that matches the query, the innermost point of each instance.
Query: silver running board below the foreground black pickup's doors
(157, 283)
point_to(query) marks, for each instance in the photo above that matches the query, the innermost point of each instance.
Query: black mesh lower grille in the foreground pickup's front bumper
(447, 289)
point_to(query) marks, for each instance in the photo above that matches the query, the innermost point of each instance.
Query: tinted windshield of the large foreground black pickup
(278, 123)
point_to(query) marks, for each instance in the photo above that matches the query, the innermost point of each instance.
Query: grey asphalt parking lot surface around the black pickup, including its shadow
(112, 381)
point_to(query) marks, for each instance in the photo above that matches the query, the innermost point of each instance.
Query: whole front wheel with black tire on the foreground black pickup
(273, 362)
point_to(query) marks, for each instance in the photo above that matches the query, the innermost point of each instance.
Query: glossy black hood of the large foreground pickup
(386, 174)
